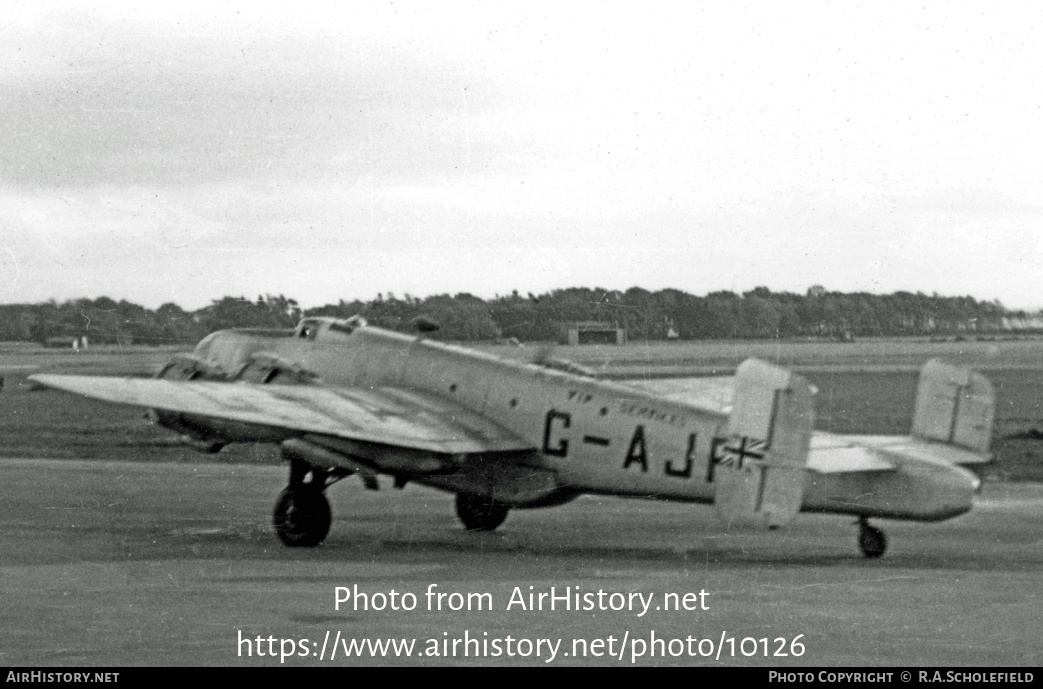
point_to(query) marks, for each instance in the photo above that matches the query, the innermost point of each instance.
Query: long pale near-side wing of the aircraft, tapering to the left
(389, 416)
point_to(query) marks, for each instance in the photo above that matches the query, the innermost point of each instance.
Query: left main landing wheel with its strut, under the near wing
(303, 516)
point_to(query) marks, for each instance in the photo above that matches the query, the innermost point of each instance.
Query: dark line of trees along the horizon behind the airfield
(666, 314)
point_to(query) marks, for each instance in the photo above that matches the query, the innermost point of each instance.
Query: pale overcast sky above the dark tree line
(330, 153)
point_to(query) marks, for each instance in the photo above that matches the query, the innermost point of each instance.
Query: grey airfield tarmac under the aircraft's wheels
(132, 563)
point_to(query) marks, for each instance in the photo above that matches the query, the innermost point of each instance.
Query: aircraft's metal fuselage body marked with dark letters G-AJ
(594, 436)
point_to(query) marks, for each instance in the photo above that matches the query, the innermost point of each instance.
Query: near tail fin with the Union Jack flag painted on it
(760, 475)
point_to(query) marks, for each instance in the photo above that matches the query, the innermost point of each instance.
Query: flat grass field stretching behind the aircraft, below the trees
(864, 387)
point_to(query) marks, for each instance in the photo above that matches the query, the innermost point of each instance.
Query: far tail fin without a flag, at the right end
(955, 406)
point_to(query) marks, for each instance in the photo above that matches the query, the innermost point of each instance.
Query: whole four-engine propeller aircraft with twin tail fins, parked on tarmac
(343, 398)
